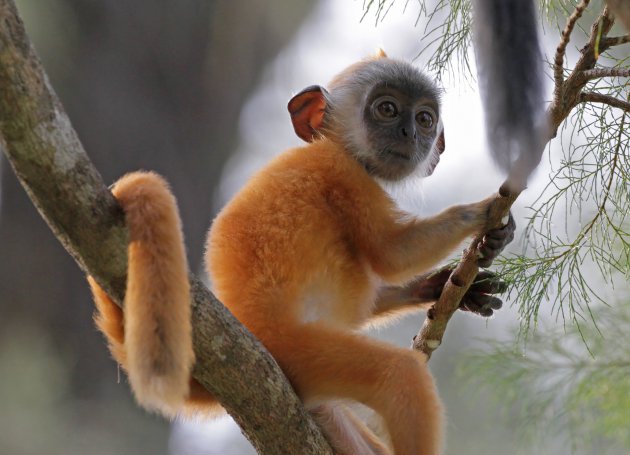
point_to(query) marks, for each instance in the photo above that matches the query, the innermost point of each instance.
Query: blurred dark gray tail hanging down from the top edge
(511, 79)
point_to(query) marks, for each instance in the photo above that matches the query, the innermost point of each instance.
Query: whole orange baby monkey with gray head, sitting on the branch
(307, 253)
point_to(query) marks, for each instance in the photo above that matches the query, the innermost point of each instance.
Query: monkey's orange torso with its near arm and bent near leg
(298, 256)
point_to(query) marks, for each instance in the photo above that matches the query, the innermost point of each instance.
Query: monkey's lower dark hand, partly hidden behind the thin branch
(479, 298)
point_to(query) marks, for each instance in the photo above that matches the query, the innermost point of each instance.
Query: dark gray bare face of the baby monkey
(402, 128)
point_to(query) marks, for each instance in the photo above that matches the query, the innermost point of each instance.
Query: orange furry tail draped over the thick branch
(152, 339)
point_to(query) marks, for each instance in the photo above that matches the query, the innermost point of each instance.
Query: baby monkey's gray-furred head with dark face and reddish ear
(385, 112)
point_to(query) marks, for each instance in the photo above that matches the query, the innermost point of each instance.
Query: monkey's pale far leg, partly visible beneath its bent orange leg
(345, 431)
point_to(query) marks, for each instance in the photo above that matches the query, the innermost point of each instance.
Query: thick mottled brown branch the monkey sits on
(48, 159)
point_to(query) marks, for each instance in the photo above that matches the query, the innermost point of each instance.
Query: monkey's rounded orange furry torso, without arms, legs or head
(287, 240)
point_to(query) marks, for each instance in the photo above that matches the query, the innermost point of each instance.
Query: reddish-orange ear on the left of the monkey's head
(307, 111)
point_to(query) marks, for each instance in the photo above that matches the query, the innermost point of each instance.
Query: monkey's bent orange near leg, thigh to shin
(323, 362)
